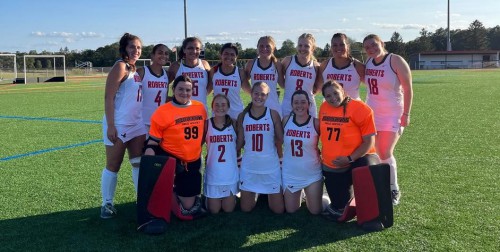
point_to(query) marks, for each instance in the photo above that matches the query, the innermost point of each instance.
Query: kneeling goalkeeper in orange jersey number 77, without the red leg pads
(347, 137)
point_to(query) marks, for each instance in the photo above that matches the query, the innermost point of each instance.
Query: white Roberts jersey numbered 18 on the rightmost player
(384, 94)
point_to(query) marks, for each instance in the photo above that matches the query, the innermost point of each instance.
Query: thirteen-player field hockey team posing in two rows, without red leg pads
(266, 148)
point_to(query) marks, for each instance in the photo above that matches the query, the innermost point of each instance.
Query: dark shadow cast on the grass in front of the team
(260, 230)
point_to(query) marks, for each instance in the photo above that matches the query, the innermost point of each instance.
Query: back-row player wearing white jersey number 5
(192, 66)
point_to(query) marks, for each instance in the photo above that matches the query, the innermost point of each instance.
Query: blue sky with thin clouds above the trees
(89, 24)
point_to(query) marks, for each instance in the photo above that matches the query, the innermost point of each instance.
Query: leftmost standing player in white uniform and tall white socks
(123, 126)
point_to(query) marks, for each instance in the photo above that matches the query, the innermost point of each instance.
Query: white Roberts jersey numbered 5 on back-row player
(199, 75)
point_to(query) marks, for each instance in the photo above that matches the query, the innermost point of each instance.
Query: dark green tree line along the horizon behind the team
(475, 37)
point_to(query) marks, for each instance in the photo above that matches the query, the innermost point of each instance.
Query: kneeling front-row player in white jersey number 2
(221, 171)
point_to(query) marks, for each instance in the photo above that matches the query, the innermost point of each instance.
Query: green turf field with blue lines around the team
(51, 159)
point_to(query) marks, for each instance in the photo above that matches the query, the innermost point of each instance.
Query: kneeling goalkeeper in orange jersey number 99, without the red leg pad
(177, 131)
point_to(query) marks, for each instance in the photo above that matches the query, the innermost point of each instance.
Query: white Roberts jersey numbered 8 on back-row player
(299, 77)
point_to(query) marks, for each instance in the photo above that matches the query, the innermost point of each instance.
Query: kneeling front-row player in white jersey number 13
(301, 161)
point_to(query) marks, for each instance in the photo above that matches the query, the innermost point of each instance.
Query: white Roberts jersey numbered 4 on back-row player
(154, 92)
